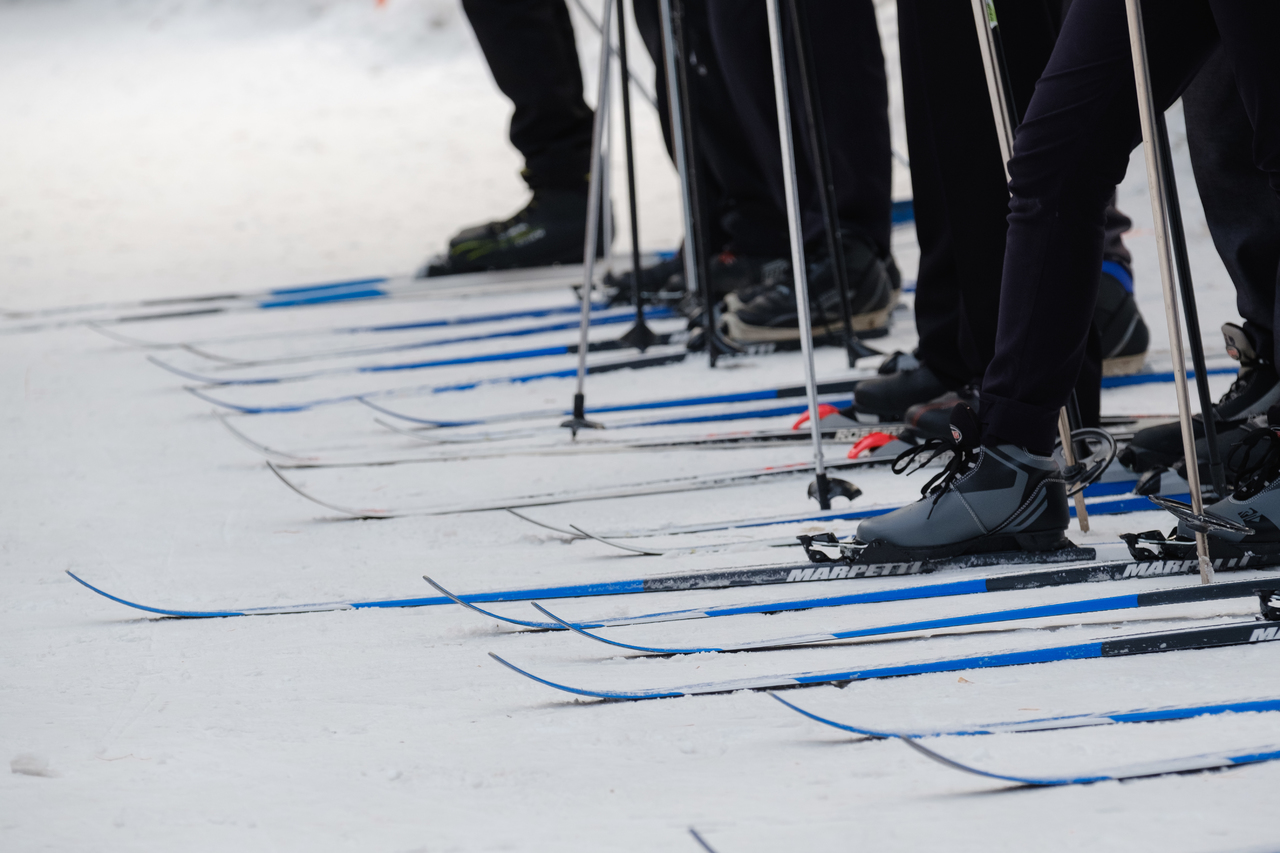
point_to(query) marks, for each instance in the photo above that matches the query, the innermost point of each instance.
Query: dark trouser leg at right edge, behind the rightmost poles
(1242, 212)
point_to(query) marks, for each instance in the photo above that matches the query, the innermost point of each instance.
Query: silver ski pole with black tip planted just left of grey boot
(822, 487)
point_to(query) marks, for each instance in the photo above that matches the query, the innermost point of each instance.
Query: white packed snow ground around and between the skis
(158, 149)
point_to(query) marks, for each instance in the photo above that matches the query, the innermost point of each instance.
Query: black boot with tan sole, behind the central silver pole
(771, 316)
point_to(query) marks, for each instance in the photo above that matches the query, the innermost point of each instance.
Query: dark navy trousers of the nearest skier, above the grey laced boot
(1071, 153)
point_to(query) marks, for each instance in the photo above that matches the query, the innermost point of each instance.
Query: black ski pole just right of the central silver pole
(824, 175)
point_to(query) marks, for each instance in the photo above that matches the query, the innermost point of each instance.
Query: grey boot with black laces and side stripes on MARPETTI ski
(986, 500)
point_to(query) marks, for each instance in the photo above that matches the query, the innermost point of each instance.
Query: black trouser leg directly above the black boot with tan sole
(853, 92)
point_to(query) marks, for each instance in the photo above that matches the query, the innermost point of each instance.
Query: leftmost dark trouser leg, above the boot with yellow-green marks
(533, 57)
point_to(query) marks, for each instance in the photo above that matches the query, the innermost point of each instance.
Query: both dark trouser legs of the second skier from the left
(737, 131)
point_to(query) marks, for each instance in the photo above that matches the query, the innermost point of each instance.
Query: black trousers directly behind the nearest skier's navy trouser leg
(958, 181)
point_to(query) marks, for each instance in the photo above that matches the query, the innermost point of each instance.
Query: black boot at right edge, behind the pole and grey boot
(1255, 391)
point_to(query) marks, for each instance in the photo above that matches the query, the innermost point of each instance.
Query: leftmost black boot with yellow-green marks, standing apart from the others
(551, 230)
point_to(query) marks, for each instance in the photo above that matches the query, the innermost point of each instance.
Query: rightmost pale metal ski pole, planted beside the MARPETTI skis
(1159, 184)
